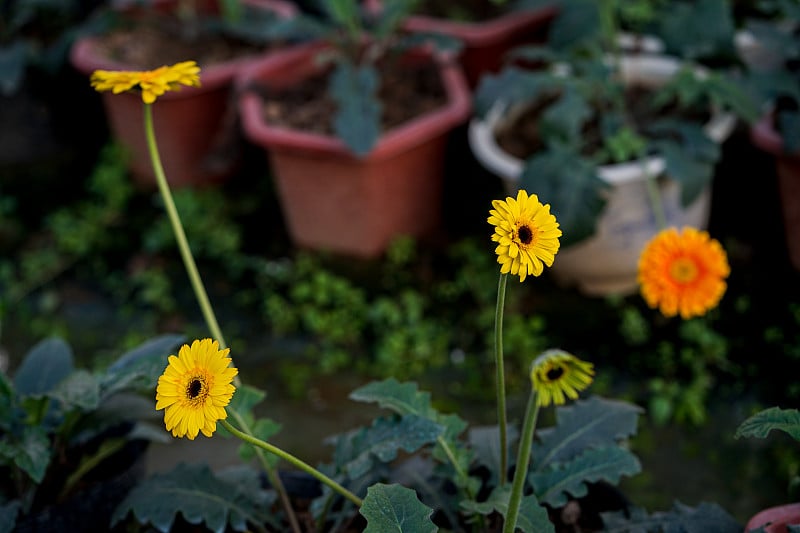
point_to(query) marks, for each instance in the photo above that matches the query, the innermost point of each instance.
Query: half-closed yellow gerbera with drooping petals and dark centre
(556, 373)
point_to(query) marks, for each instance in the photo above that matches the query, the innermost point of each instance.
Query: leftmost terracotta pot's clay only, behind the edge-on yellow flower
(195, 127)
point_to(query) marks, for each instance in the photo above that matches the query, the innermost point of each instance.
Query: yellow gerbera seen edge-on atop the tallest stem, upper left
(152, 83)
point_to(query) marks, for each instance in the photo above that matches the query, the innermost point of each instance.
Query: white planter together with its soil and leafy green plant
(620, 145)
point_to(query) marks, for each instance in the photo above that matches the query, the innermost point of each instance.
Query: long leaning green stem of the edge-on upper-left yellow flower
(200, 292)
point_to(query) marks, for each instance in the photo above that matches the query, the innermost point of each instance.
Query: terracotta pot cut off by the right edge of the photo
(787, 167)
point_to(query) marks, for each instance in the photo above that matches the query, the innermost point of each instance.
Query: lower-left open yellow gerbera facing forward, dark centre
(195, 388)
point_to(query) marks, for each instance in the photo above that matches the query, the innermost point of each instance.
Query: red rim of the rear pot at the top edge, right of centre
(483, 33)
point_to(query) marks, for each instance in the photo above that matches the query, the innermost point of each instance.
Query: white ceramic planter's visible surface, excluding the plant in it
(606, 263)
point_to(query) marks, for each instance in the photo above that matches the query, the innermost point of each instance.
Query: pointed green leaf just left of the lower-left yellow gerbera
(140, 367)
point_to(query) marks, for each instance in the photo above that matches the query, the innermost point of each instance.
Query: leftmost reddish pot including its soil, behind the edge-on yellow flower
(197, 125)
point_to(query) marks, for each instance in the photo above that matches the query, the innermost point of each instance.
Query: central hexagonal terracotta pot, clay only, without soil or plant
(335, 201)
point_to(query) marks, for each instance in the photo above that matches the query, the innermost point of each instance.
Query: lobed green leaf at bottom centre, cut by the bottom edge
(395, 508)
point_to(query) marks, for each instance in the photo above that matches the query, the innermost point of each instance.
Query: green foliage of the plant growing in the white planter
(585, 118)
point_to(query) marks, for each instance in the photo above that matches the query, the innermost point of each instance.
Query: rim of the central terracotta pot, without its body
(398, 139)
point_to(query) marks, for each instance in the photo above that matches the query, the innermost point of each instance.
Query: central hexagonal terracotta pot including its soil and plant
(369, 167)
